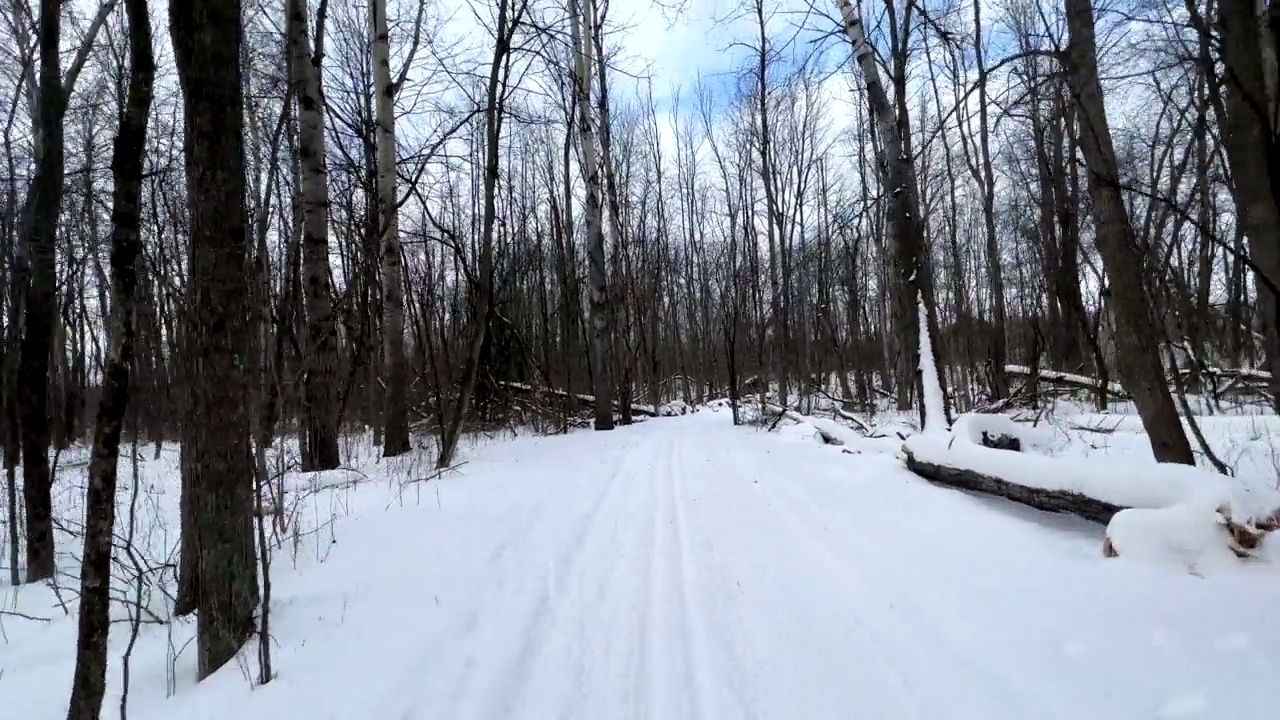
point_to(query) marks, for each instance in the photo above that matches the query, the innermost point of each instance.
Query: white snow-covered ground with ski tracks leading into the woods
(685, 568)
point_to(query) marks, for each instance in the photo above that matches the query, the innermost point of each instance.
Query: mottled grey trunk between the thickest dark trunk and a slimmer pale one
(319, 381)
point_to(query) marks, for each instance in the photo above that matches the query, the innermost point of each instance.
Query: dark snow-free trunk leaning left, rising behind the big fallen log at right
(1137, 338)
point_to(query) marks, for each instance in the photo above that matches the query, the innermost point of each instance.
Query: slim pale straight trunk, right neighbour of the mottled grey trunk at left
(396, 421)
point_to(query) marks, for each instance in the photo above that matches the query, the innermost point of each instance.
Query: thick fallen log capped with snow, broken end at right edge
(1151, 511)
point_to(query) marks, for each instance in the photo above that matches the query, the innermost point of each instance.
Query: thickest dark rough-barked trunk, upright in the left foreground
(218, 468)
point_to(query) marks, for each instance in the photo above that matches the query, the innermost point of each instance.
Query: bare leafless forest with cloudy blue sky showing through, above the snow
(234, 226)
